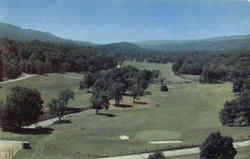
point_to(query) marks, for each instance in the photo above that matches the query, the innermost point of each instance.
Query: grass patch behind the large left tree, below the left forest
(50, 85)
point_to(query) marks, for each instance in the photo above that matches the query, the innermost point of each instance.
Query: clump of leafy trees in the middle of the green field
(113, 84)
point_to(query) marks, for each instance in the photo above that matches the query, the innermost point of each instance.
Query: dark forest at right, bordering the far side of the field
(214, 68)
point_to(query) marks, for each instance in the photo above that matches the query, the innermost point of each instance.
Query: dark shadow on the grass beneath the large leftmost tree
(34, 131)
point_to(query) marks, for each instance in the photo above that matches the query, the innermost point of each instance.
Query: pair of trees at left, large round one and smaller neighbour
(24, 106)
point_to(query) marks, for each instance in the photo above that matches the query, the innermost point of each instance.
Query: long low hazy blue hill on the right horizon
(218, 44)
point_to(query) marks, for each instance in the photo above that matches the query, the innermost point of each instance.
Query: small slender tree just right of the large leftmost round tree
(59, 105)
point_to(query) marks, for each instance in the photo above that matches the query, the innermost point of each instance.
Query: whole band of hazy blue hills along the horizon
(217, 44)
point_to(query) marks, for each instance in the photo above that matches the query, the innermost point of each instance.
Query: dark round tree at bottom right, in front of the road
(217, 147)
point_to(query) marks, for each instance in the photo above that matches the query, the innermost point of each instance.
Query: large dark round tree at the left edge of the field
(23, 106)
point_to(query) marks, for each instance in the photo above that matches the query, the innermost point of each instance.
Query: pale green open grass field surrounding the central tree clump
(188, 112)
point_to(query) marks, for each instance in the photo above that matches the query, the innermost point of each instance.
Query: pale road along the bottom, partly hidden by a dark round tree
(174, 153)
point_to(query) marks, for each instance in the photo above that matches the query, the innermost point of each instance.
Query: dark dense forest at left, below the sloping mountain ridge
(41, 57)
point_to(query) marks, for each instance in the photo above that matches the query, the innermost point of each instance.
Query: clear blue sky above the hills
(105, 21)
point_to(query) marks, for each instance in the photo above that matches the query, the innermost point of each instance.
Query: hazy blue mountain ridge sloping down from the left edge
(17, 33)
